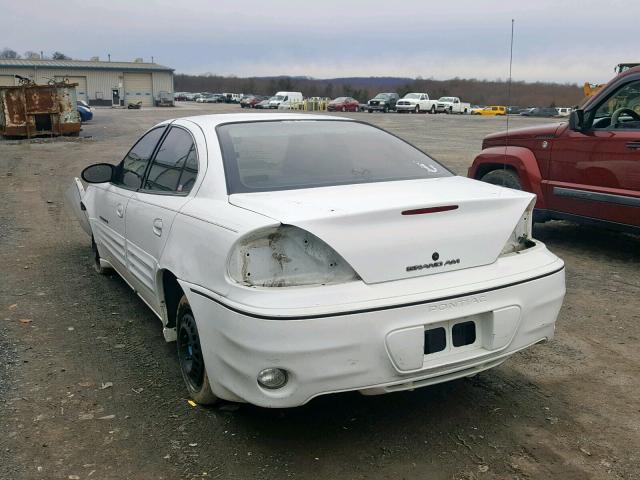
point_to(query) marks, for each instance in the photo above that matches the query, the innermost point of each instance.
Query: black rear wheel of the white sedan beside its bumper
(190, 356)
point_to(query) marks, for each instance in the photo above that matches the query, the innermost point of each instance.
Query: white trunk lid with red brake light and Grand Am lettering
(394, 230)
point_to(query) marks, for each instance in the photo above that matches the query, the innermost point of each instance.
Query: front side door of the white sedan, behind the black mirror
(111, 199)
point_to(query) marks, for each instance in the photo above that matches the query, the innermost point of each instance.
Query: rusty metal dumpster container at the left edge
(30, 110)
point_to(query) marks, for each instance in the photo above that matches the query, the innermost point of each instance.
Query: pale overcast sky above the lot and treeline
(555, 40)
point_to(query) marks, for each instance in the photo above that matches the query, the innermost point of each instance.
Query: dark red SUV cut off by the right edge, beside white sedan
(586, 170)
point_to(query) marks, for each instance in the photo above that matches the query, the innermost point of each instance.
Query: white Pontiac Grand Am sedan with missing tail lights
(294, 255)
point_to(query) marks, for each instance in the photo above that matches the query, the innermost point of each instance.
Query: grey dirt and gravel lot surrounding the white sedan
(90, 390)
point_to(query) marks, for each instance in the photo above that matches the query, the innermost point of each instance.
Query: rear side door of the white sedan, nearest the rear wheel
(152, 209)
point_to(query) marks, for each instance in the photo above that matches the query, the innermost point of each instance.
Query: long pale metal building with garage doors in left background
(99, 83)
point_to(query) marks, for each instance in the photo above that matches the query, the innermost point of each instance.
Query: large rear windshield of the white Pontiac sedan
(284, 155)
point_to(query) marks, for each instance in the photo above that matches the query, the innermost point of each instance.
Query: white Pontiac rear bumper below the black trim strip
(373, 351)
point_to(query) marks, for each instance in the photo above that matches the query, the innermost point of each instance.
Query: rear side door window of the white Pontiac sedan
(175, 166)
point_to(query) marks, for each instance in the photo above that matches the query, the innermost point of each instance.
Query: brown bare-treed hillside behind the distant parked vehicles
(480, 92)
